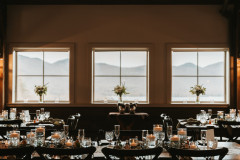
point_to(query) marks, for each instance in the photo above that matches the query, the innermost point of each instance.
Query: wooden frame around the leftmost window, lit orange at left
(38, 47)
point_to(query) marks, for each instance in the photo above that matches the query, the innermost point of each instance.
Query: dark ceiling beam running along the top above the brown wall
(115, 2)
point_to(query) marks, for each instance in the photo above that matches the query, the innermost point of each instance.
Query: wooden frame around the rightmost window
(199, 48)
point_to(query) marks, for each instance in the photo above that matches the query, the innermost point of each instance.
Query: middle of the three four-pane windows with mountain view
(113, 67)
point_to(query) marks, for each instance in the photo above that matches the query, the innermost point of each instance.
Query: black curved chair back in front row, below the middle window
(121, 153)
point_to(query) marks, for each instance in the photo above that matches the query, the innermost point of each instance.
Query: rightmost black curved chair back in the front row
(197, 153)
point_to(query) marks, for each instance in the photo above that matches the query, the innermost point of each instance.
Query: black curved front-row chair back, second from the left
(61, 151)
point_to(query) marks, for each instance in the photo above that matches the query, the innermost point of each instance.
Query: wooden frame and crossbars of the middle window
(120, 49)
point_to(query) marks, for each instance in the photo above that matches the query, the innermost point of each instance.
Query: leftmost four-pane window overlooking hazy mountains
(49, 66)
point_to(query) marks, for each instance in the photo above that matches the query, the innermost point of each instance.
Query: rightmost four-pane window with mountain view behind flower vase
(207, 67)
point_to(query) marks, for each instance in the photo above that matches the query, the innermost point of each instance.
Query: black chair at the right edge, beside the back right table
(226, 129)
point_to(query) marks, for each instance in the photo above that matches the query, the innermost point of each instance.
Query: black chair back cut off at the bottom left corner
(20, 153)
